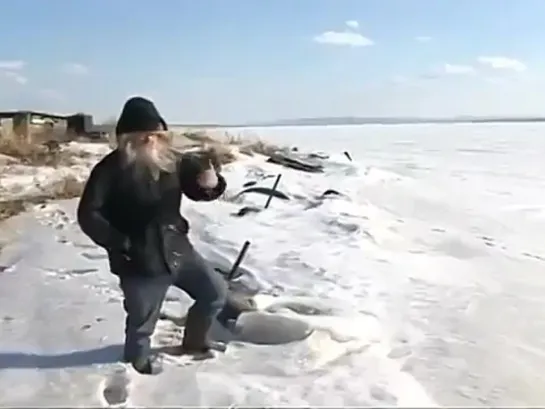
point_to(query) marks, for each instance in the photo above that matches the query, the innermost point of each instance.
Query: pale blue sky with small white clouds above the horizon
(244, 60)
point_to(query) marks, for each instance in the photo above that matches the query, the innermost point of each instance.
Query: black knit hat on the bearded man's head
(139, 115)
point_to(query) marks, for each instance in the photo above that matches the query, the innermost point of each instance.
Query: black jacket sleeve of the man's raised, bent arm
(190, 168)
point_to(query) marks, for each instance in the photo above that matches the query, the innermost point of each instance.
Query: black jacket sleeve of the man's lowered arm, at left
(90, 216)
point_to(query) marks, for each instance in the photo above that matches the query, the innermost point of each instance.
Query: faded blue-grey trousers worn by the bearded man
(143, 297)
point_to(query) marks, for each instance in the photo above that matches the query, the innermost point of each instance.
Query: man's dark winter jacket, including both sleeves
(141, 237)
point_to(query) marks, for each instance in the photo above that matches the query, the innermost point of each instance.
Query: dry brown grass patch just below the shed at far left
(36, 152)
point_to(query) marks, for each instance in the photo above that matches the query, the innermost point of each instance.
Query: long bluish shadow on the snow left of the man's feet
(22, 360)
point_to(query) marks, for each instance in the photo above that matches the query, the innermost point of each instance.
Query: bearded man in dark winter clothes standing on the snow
(130, 207)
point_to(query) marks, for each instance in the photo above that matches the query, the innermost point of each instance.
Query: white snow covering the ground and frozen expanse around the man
(423, 283)
